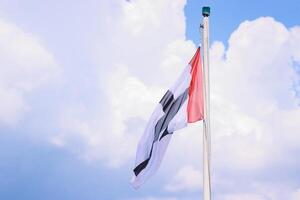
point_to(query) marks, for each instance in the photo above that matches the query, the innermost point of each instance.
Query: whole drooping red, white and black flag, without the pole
(183, 103)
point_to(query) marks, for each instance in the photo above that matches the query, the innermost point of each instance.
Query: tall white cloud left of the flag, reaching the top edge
(139, 59)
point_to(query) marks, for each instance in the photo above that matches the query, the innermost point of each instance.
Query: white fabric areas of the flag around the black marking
(159, 146)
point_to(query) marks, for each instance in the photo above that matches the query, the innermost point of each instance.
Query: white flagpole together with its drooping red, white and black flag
(187, 101)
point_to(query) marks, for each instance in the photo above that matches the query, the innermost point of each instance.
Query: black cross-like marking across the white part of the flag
(171, 107)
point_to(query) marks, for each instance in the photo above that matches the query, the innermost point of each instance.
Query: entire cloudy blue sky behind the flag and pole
(79, 80)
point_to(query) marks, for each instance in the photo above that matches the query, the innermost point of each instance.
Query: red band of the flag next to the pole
(195, 108)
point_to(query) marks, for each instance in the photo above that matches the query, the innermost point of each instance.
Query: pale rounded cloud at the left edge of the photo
(24, 65)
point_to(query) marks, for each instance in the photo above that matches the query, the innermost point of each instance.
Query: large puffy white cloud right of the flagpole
(252, 94)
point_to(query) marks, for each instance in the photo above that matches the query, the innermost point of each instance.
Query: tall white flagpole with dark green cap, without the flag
(206, 124)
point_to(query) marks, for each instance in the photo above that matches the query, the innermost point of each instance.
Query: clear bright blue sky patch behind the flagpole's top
(227, 15)
